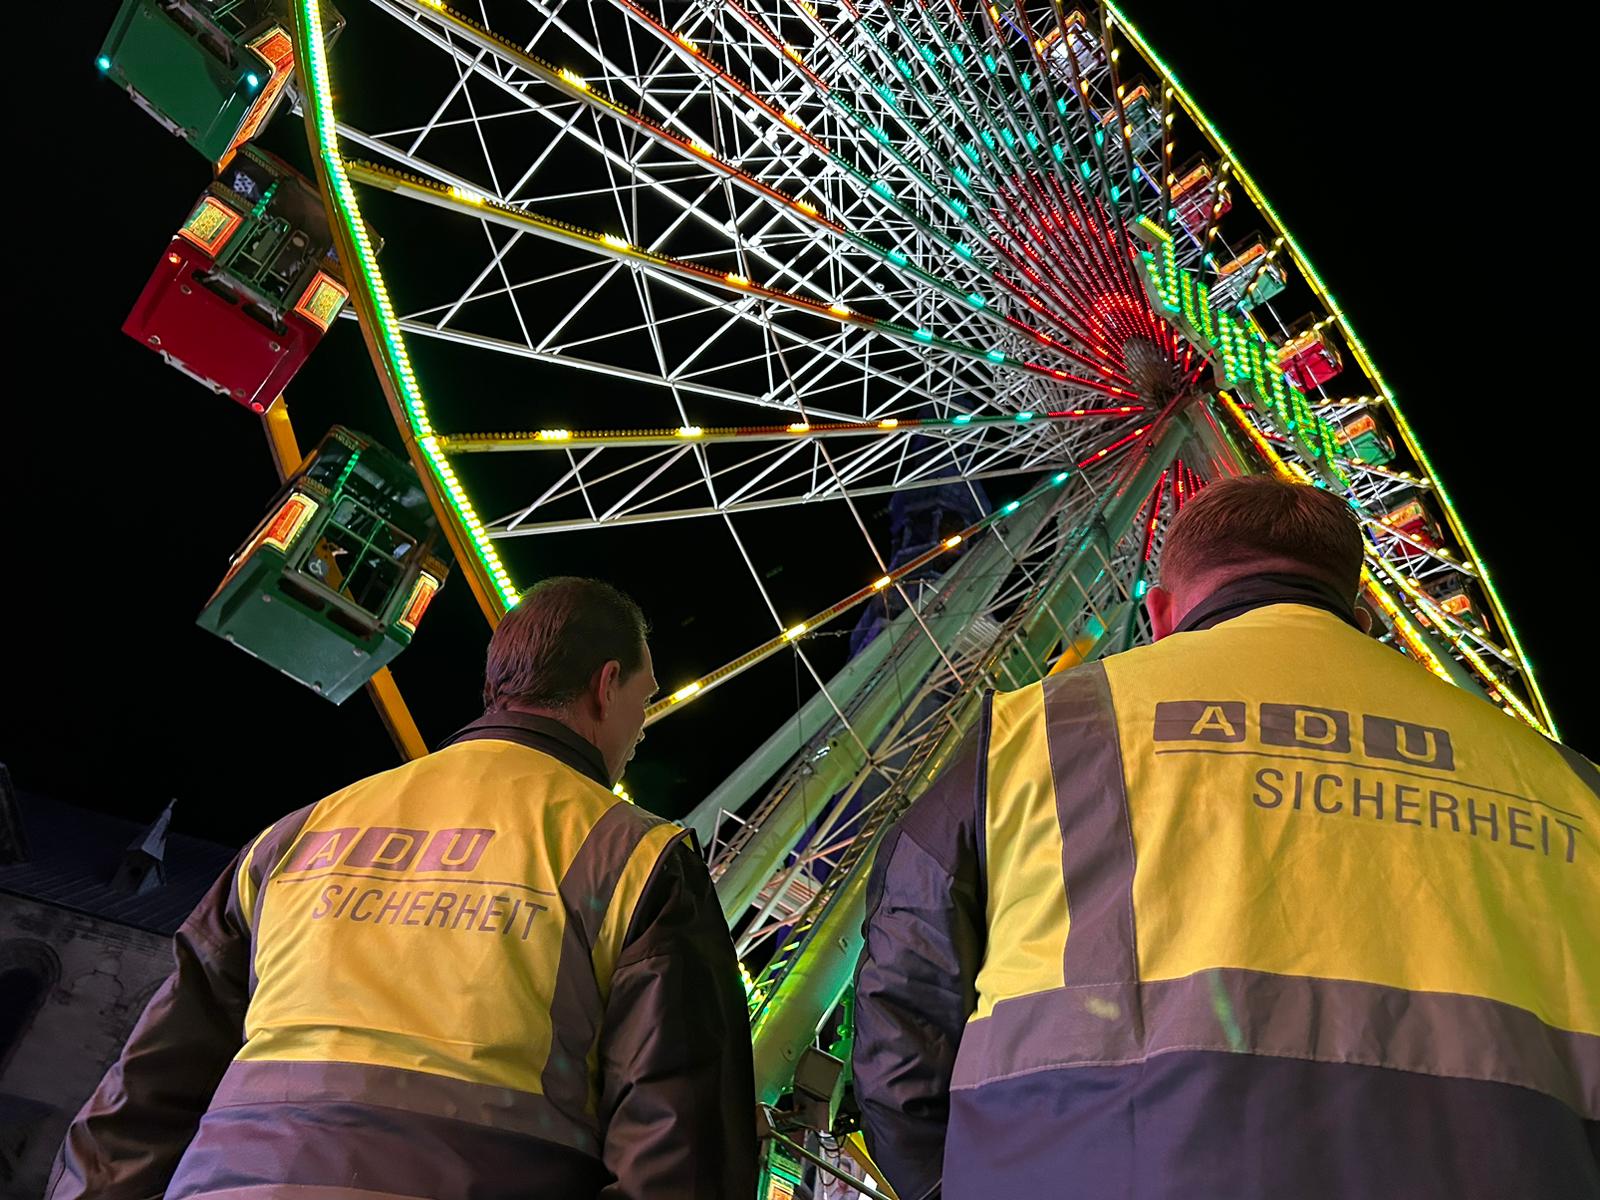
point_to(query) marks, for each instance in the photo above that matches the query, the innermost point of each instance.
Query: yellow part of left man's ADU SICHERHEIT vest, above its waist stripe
(458, 918)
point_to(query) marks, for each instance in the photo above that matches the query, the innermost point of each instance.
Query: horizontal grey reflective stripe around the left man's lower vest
(265, 1082)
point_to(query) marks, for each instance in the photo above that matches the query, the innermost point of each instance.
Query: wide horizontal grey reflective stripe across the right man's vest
(1286, 1017)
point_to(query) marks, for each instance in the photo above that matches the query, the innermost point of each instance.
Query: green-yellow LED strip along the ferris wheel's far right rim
(1356, 345)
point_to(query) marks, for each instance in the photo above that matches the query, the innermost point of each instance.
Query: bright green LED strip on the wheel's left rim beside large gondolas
(367, 276)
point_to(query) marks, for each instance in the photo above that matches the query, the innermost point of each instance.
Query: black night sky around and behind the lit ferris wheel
(1394, 158)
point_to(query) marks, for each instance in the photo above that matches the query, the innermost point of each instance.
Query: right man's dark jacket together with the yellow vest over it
(1258, 911)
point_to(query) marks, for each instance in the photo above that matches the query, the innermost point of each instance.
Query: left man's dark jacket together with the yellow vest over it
(479, 975)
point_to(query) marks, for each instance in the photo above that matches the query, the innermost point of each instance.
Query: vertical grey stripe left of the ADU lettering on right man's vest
(1097, 839)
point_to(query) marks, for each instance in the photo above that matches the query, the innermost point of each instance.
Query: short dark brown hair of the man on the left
(564, 630)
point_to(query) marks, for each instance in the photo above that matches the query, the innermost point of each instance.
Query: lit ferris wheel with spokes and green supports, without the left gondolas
(802, 257)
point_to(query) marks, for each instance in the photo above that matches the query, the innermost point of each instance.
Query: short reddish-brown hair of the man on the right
(1265, 524)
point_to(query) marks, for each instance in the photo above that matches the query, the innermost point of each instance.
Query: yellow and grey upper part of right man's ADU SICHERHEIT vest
(1282, 838)
